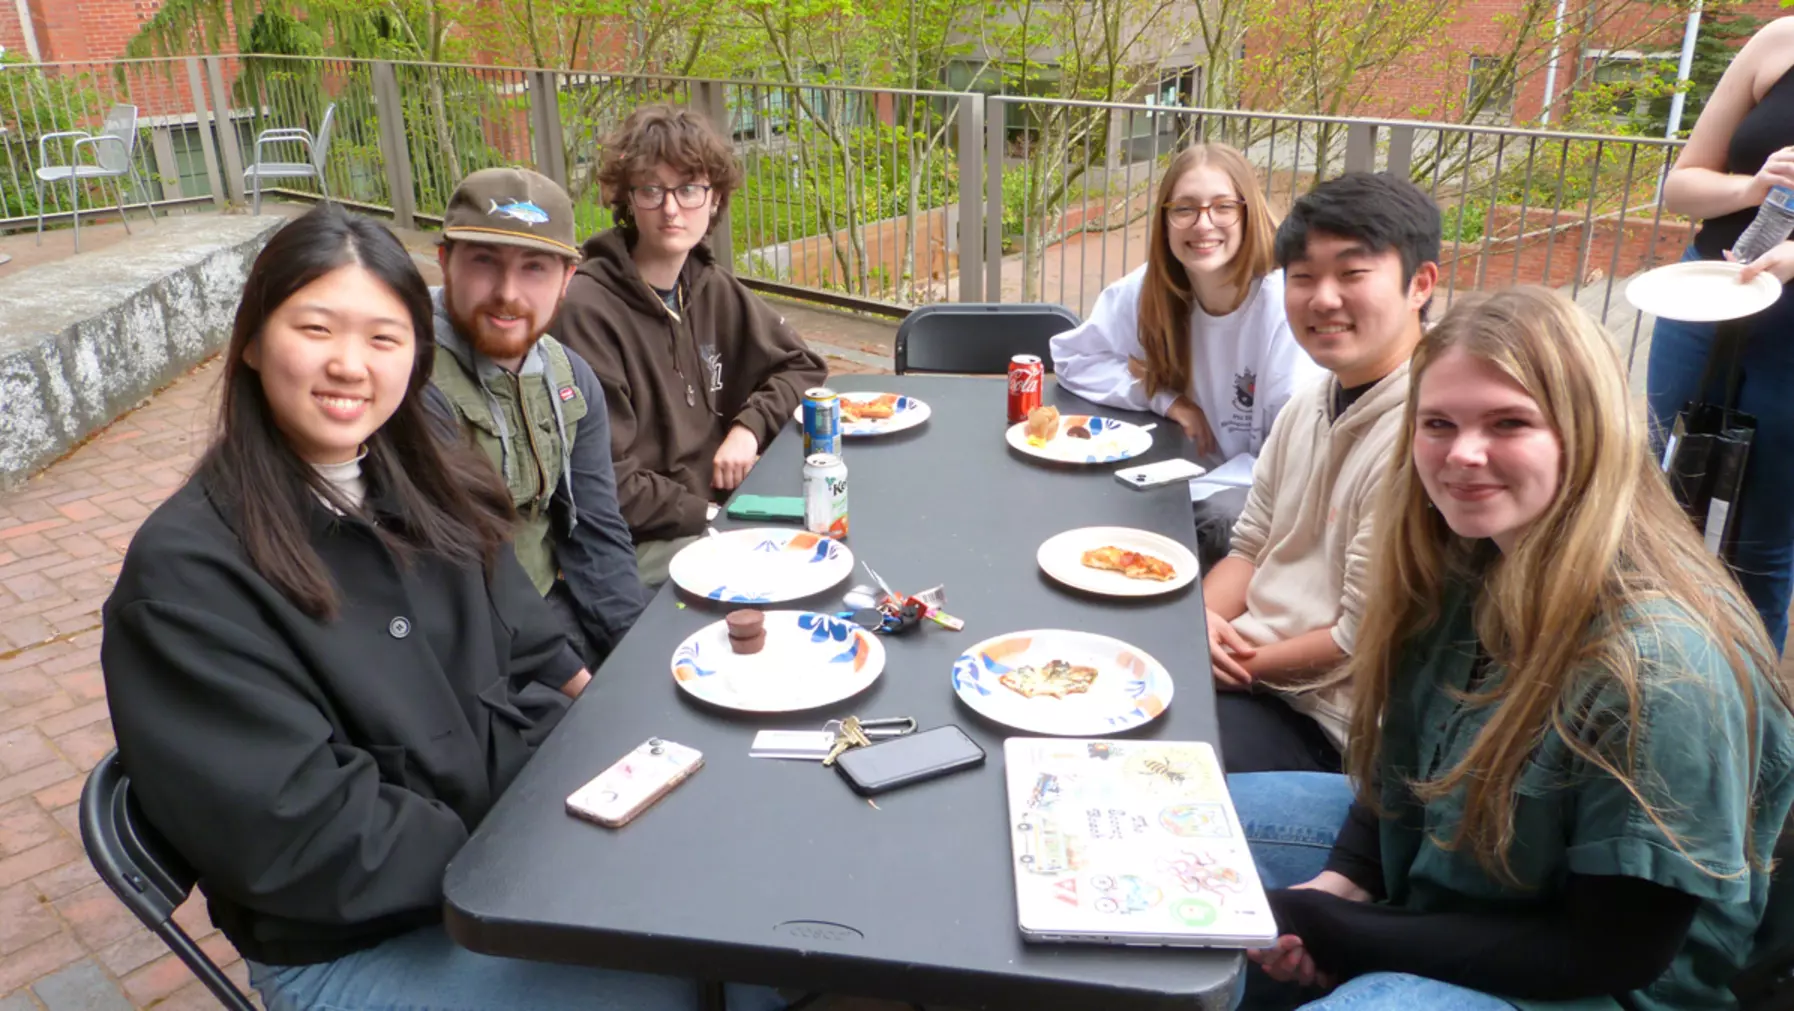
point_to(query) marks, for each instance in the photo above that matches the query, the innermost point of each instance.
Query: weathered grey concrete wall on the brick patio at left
(89, 338)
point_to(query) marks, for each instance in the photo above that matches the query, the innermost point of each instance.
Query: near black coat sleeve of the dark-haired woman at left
(241, 772)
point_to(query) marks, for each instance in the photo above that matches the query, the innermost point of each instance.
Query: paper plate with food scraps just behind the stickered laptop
(1065, 684)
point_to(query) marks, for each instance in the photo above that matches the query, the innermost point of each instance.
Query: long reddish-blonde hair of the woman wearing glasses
(1165, 298)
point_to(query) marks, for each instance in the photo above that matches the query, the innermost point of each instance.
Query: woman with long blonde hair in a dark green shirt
(1571, 748)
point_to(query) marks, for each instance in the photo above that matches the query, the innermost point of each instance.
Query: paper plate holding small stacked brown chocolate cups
(810, 661)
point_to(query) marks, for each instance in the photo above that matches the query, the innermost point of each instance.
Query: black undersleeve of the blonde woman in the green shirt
(1612, 935)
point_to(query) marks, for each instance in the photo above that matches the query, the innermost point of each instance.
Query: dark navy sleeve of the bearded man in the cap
(598, 555)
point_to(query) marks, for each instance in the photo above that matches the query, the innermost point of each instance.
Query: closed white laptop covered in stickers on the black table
(1131, 843)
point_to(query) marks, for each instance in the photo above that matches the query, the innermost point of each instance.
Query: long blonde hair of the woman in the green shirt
(1558, 607)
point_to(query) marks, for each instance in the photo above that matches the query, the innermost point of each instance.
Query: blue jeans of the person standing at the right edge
(1764, 558)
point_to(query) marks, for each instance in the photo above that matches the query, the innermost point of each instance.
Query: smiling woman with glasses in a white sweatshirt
(1197, 334)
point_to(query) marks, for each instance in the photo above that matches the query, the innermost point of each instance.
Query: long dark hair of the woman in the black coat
(446, 499)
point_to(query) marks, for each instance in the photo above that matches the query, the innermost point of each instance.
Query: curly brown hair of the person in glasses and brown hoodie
(672, 135)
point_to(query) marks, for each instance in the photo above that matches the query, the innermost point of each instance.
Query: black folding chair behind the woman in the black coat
(144, 872)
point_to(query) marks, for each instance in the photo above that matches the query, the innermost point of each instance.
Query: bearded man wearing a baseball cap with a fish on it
(534, 406)
